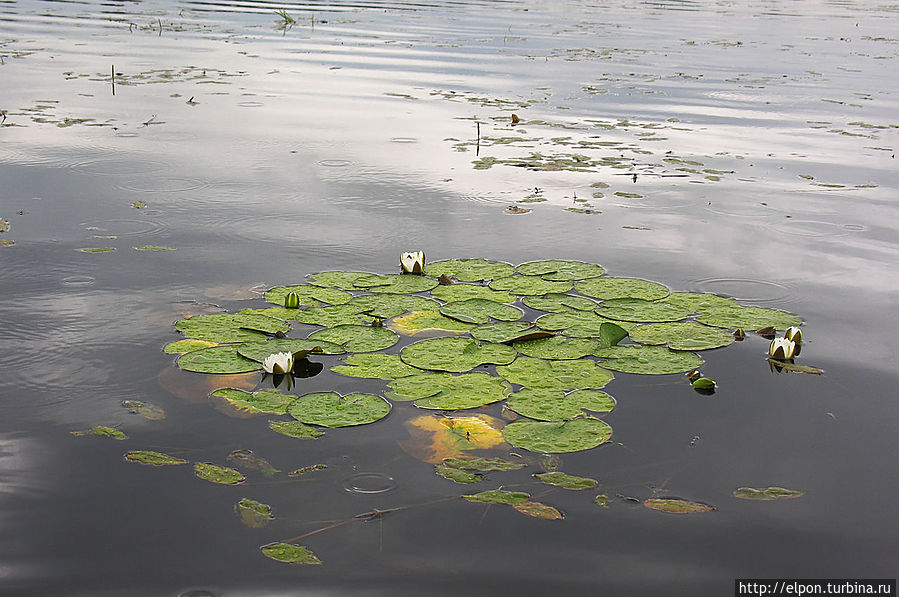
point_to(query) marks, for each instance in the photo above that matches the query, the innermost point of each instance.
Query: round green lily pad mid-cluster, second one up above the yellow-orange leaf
(455, 354)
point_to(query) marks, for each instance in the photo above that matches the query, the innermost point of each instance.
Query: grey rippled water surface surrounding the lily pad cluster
(744, 149)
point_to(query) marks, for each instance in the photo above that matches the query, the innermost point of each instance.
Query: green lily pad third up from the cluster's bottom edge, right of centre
(561, 375)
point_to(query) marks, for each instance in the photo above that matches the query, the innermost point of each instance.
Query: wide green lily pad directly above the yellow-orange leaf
(444, 391)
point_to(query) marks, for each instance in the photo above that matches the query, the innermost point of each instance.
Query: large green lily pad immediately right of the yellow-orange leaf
(553, 437)
